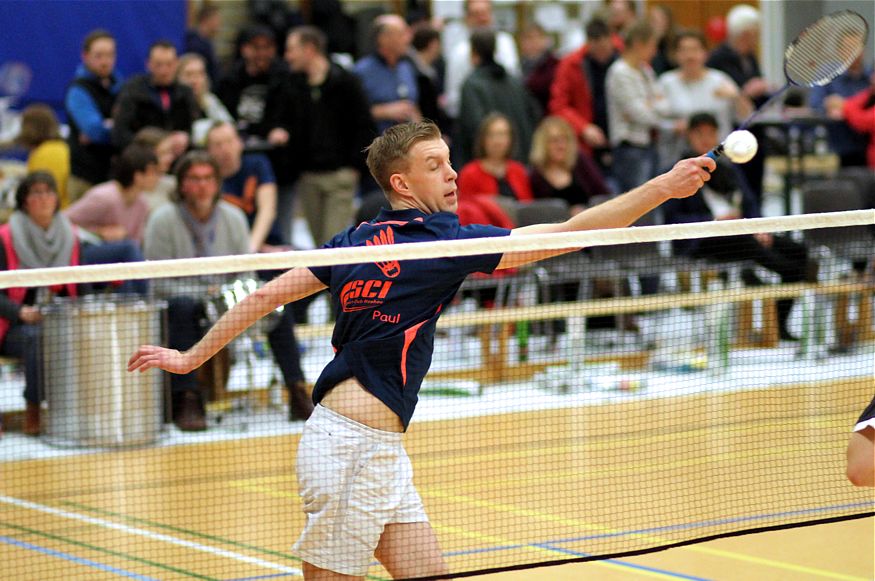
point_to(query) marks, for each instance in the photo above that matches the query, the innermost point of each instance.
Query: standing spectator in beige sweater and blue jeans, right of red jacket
(635, 109)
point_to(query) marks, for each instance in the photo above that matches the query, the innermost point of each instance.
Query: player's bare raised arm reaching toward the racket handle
(684, 179)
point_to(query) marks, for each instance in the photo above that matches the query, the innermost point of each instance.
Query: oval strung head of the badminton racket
(826, 49)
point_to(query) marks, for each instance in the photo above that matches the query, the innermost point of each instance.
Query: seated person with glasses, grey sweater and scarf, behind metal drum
(200, 224)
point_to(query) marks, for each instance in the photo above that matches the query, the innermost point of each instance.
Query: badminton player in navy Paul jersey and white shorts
(354, 477)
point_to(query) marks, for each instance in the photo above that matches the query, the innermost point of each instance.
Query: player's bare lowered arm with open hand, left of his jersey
(293, 285)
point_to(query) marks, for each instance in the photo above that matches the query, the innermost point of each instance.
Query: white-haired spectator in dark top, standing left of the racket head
(737, 57)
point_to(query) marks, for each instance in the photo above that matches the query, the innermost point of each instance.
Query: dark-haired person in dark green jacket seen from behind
(490, 89)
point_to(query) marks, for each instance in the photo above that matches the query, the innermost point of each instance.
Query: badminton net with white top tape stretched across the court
(663, 386)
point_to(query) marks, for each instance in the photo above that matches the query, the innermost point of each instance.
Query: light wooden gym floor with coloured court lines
(500, 489)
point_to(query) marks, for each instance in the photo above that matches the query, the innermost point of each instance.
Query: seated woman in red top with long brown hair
(492, 174)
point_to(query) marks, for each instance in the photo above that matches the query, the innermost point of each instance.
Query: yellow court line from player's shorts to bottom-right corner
(501, 507)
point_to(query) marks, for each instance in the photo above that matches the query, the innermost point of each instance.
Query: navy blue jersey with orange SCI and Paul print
(387, 311)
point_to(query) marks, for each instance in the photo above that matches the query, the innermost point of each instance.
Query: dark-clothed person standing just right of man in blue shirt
(425, 53)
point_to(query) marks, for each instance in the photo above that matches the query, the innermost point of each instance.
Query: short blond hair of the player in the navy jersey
(387, 154)
